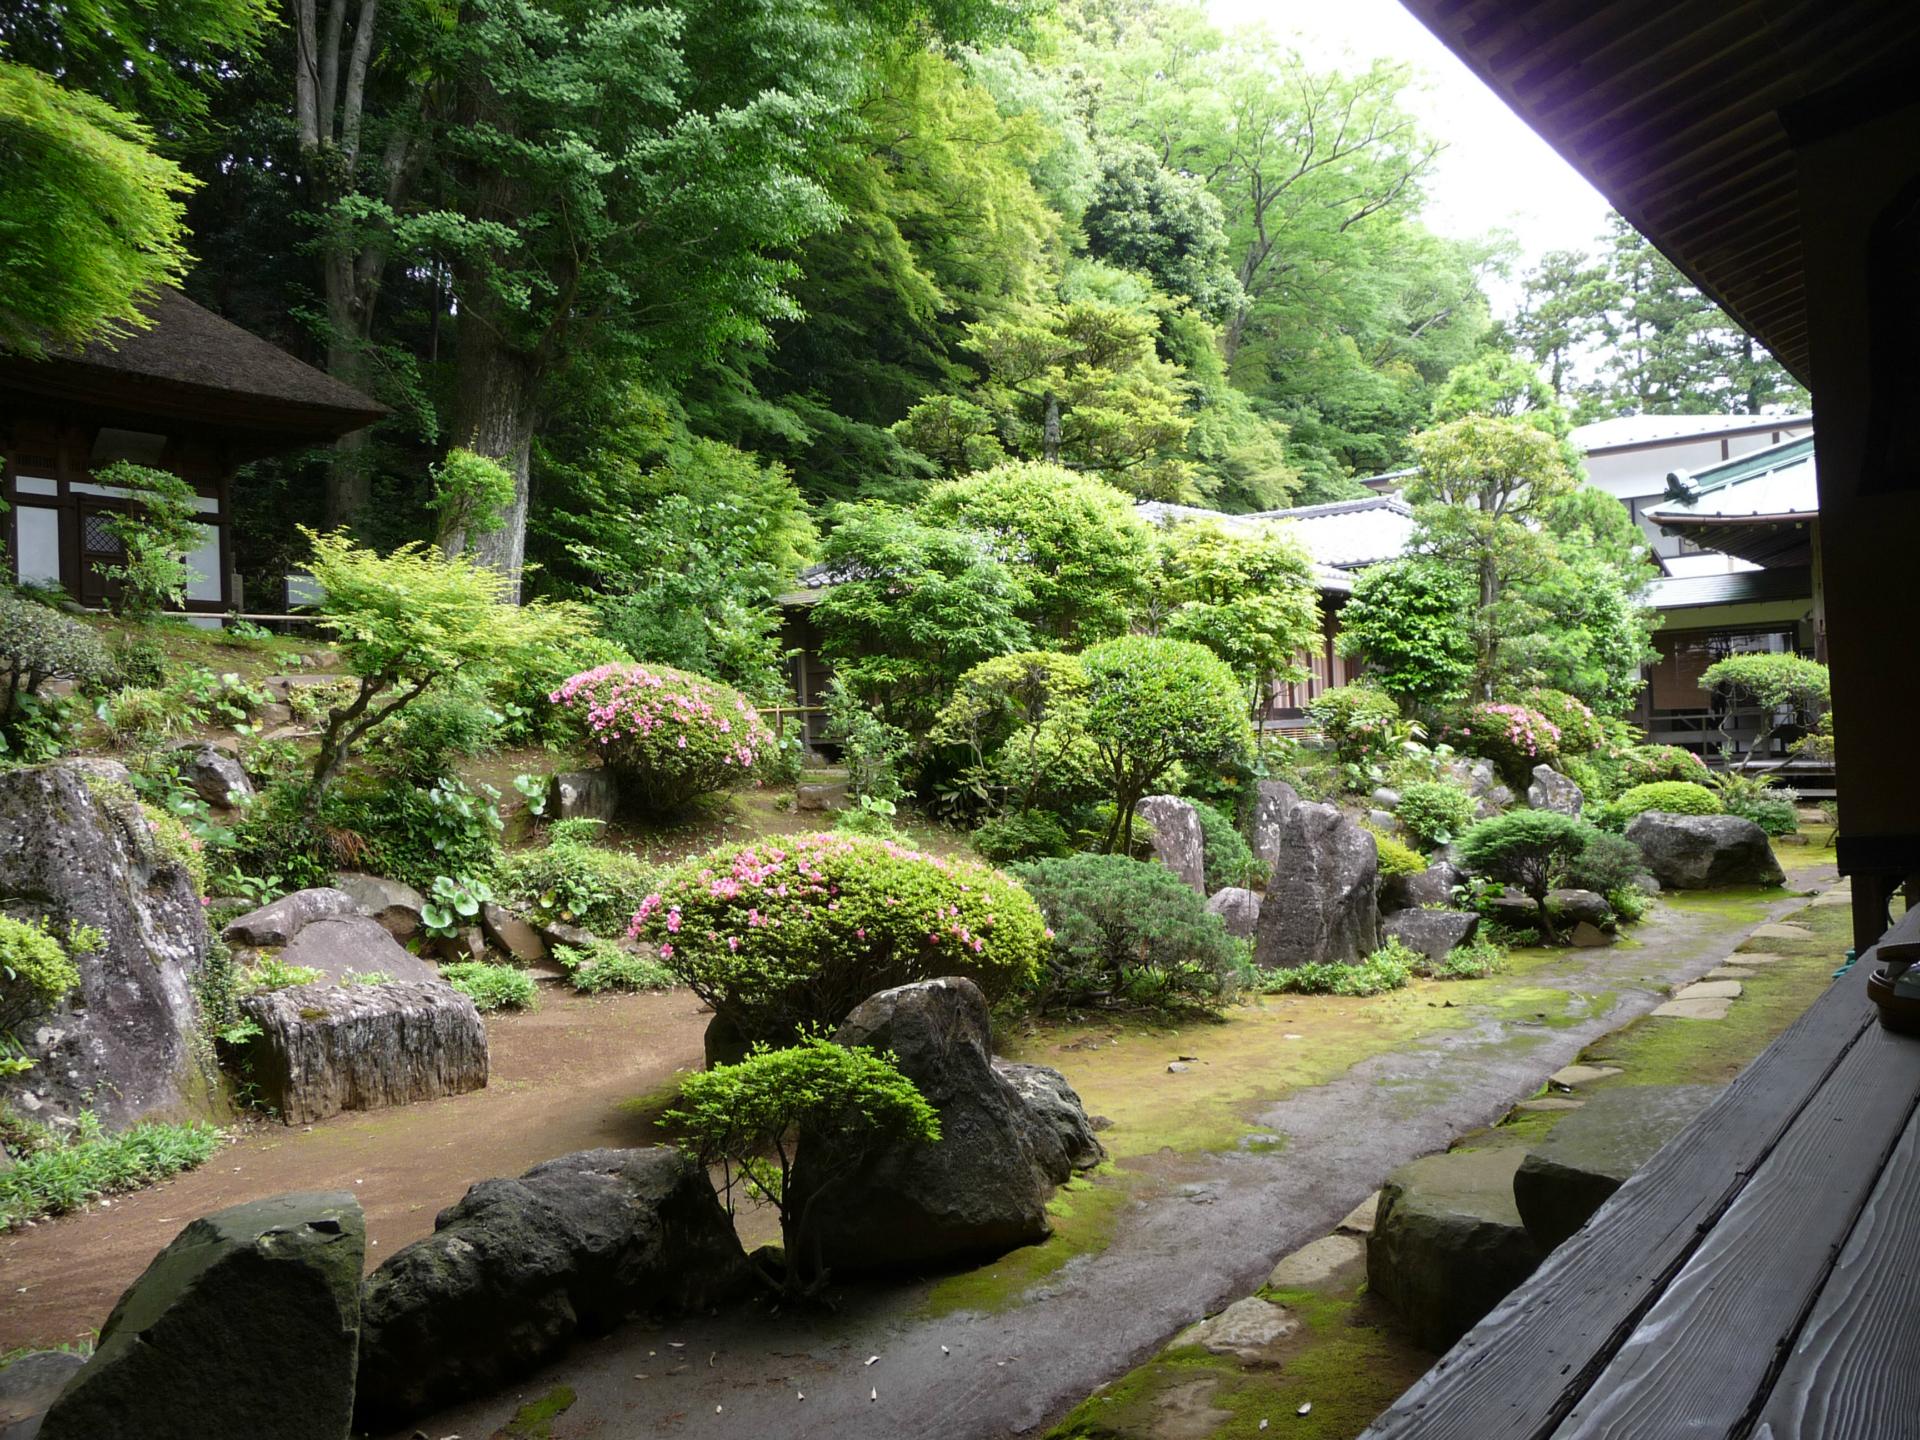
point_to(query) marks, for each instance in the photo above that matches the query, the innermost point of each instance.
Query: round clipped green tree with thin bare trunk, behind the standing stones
(1157, 704)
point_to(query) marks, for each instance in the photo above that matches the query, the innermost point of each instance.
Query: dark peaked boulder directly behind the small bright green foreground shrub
(980, 1189)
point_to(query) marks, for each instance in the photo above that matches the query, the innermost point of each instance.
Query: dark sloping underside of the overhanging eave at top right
(1675, 112)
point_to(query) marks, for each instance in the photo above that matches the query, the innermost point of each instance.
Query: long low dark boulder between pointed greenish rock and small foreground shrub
(519, 1268)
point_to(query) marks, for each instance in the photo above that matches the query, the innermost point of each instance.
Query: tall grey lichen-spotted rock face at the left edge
(76, 850)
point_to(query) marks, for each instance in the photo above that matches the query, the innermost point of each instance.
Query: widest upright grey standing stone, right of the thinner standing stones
(1324, 898)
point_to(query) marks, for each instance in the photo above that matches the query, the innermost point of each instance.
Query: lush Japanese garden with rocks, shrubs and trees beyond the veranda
(850, 719)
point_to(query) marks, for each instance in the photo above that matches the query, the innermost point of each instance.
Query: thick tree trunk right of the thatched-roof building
(494, 418)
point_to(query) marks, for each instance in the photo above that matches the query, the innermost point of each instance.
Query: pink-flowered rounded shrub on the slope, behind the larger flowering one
(669, 736)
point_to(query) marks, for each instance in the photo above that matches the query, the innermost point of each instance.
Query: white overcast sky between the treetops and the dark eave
(1495, 172)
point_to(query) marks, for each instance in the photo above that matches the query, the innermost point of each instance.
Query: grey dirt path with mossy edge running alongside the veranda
(1188, 1226)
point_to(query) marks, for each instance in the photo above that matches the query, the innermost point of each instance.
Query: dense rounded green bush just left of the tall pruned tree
(1408, 621)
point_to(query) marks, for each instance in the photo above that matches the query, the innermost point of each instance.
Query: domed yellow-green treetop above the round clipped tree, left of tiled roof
(1072, 544)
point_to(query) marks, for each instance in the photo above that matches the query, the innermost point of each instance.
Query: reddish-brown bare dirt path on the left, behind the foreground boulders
(560, 1082)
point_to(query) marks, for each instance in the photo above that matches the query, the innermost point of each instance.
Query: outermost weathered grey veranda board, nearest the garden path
(1524, 1370)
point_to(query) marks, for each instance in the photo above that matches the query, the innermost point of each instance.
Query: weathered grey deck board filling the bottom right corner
(1852, 1370)
